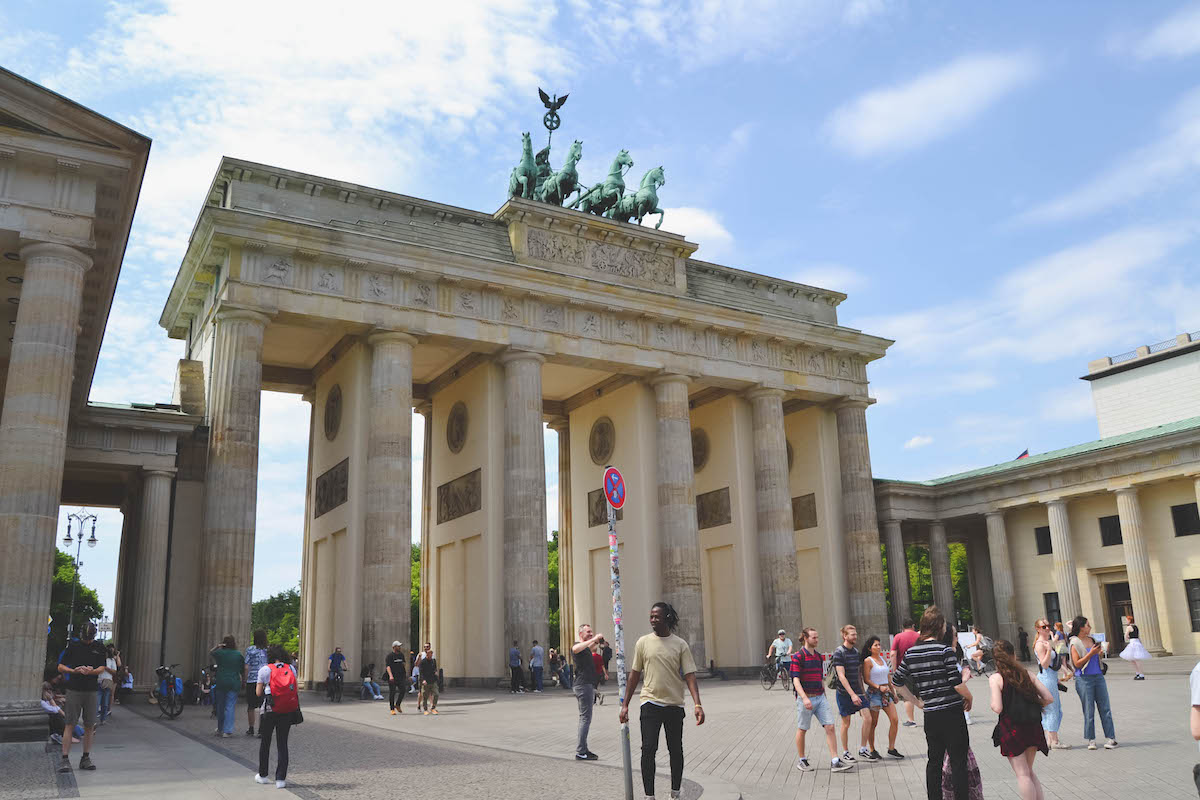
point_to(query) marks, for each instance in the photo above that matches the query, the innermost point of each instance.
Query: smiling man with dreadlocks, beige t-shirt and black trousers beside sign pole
(663, 658)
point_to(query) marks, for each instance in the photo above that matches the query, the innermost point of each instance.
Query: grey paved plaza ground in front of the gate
(491, 744)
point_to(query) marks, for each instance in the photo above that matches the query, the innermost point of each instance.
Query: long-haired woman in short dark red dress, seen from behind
(1019, 701)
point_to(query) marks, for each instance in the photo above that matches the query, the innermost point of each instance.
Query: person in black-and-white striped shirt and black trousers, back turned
(931, 672)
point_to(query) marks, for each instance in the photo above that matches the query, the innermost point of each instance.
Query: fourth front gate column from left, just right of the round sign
(679, 530)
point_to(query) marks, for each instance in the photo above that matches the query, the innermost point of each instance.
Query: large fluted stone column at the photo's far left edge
(33, 447)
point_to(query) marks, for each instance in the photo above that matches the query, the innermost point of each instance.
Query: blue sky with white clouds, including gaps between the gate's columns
(1009, 191)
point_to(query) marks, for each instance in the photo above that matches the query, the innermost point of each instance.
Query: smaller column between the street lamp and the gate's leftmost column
(149, 574)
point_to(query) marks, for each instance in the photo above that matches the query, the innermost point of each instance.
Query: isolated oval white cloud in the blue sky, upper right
(929, 107)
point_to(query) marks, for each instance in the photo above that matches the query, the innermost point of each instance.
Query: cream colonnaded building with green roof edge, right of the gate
(1107, 528)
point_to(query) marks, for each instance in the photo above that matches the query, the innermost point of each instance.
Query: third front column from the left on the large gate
(526, 582)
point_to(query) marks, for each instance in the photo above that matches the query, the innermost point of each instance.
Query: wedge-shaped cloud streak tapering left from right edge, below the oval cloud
(1173, 158)
